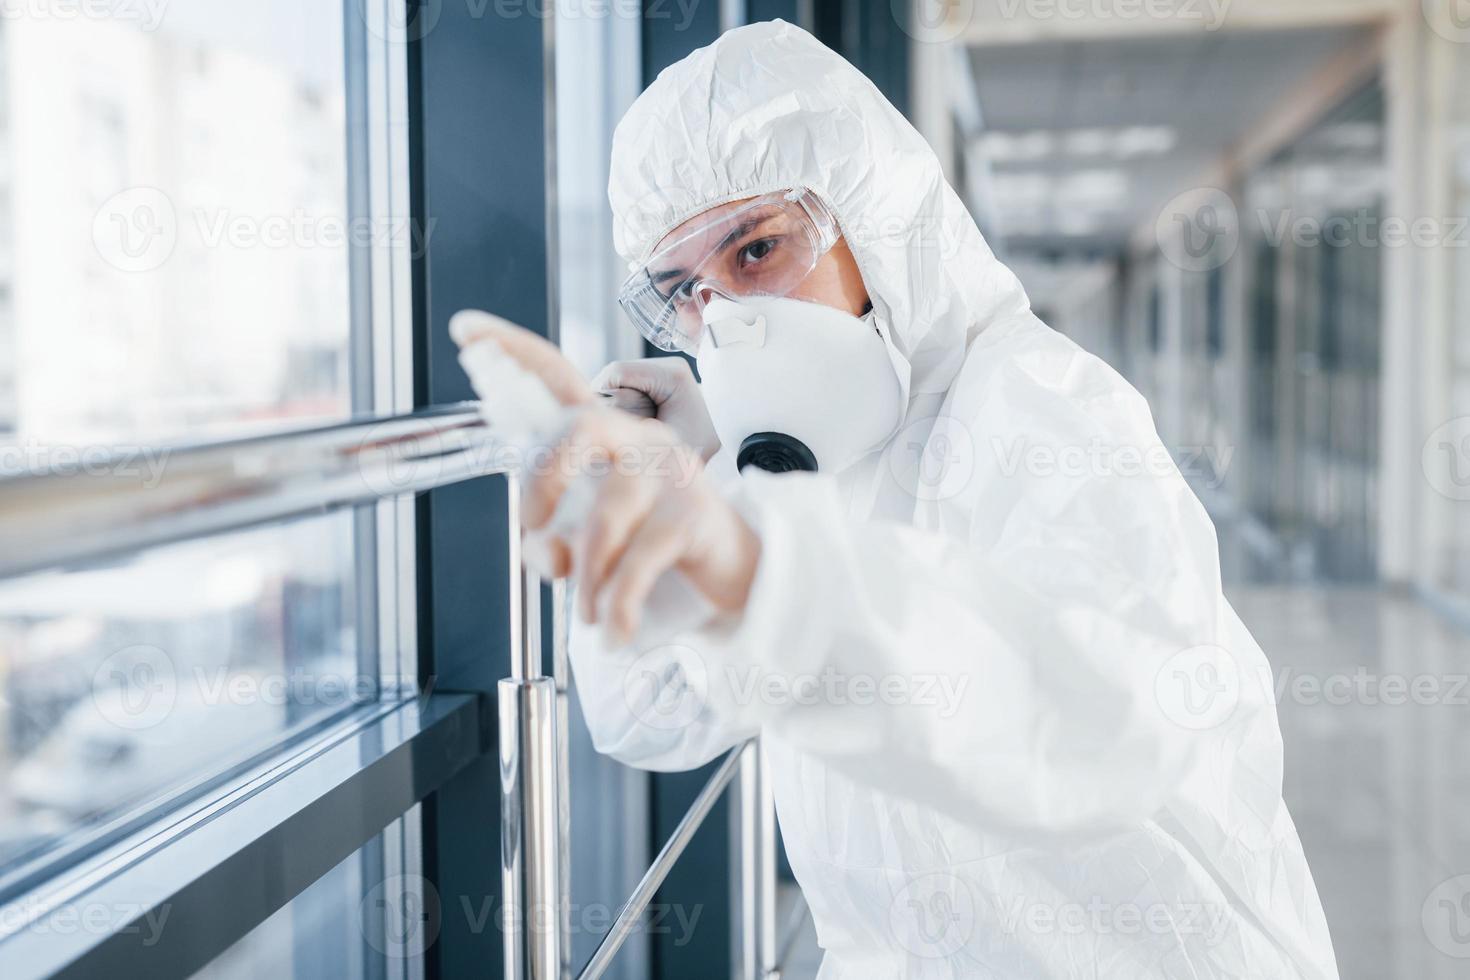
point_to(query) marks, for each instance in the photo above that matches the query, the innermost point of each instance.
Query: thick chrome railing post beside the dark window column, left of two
(530, 781)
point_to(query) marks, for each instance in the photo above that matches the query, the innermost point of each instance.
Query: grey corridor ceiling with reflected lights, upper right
(1089, 140)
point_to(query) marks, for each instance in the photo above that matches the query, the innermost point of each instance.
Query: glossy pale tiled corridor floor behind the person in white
(1375, 713)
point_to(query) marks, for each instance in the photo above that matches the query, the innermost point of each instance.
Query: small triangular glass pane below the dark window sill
(329, 932)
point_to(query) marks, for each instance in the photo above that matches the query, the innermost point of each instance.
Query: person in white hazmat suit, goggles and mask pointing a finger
(1014, 727)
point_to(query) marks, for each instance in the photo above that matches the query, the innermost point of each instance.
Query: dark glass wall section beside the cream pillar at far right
(1315, 239)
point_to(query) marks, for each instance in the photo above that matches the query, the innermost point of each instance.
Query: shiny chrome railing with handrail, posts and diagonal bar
(55, 521)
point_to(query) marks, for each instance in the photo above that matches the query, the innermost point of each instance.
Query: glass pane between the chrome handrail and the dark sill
(124, 682)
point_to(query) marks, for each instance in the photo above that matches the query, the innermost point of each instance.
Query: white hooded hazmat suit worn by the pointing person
(1015, 729)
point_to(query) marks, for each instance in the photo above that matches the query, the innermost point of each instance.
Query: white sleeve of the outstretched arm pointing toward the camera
(1006, 663)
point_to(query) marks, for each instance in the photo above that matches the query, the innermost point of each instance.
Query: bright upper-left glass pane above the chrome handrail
(174, 227)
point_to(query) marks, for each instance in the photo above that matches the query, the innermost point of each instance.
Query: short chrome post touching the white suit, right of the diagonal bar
(753, 872)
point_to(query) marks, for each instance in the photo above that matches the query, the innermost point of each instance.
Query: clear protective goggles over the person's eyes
(765, 246)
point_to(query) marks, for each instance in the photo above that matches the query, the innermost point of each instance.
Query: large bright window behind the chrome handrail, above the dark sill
(204, 221)
